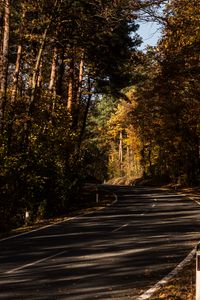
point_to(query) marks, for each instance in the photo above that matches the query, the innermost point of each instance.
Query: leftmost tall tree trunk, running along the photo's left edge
(4, 60)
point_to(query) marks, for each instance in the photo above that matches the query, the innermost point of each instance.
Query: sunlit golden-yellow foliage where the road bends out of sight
(122, 138)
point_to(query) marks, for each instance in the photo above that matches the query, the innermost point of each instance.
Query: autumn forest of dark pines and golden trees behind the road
(80, 102)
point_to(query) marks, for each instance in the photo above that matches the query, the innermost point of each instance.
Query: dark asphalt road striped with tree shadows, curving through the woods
(115, 253)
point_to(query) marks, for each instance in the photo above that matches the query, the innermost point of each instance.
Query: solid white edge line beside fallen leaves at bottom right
(146, 295)
